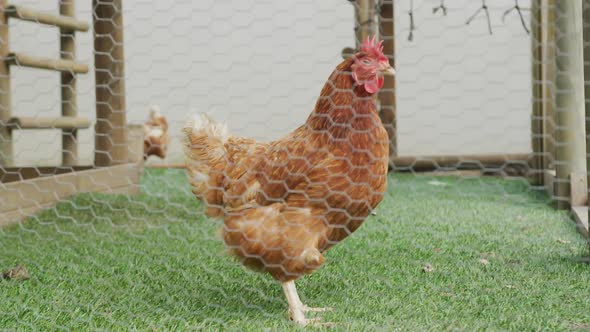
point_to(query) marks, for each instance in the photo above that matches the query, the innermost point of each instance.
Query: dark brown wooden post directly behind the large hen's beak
(387, 94)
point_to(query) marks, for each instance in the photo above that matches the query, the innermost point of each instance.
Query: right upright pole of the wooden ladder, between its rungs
(68, 86)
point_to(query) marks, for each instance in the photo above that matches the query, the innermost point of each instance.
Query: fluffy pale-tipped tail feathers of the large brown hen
(204, 147)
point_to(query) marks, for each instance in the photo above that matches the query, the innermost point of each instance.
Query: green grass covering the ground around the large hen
(153, 262)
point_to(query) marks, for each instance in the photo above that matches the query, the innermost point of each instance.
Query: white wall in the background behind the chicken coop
(259, 66)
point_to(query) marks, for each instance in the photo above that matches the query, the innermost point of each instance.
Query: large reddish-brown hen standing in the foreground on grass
(286, 202)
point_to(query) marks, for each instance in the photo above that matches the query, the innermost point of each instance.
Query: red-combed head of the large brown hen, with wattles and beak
(369, 65)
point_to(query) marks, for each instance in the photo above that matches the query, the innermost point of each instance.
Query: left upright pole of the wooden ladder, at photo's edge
(5, 114)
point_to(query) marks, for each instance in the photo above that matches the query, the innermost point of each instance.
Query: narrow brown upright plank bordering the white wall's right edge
(537, 162)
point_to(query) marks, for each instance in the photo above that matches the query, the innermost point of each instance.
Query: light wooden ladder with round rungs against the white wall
(69, 122)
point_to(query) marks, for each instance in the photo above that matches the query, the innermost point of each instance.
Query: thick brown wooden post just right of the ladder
(111, 131)
